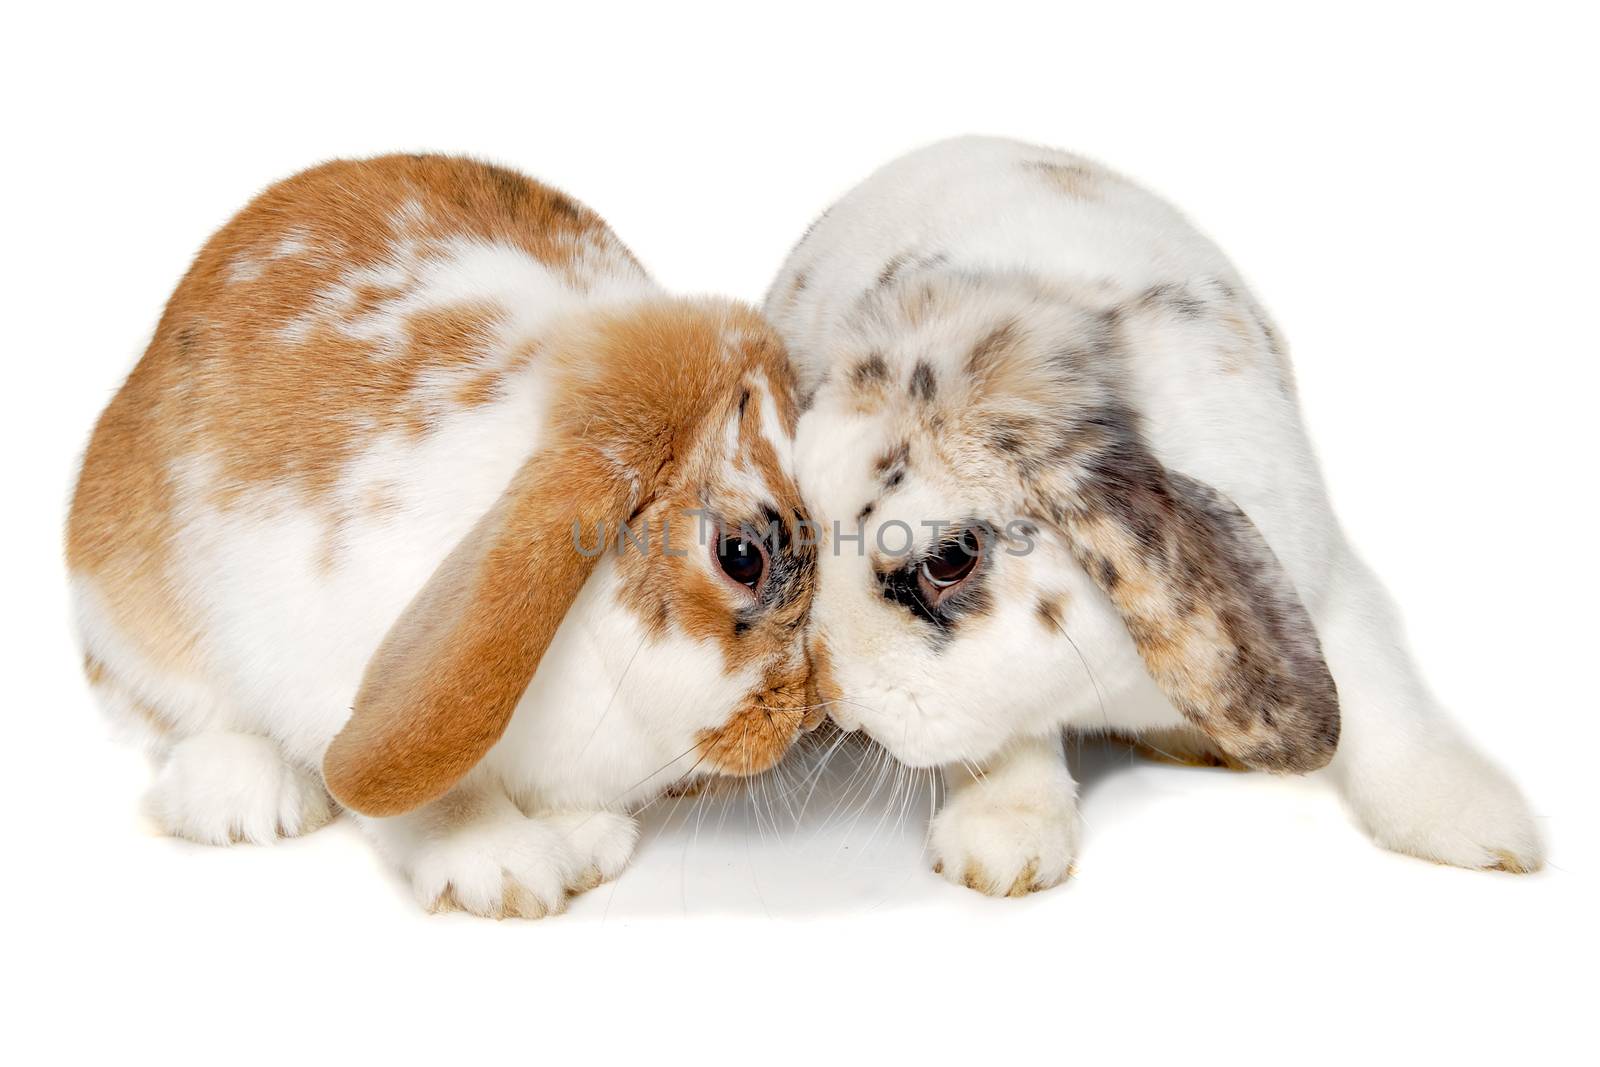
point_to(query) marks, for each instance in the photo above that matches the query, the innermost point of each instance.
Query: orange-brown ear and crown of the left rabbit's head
(631, 390)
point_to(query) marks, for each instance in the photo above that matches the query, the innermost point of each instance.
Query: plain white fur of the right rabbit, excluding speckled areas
(1217, 404)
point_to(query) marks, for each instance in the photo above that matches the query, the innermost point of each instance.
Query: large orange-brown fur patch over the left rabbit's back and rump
(252, 370)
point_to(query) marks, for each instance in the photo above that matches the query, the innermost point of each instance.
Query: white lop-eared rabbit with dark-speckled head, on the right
(1055, 447)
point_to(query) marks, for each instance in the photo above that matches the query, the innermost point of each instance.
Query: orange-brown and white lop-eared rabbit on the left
(426, 502)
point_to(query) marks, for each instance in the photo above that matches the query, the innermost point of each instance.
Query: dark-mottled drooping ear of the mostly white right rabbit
(1209, 607)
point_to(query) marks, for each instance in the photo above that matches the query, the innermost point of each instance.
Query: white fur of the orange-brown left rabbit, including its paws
(292, 602)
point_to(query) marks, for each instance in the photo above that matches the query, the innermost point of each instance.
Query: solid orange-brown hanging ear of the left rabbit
(442, 687)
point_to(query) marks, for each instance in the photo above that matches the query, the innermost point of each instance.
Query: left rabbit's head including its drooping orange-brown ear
(666, 452)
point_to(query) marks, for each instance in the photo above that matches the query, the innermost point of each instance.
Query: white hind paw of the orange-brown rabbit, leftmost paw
(228, 788)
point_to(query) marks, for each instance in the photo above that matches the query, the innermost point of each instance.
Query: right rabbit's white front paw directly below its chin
(1009, 839)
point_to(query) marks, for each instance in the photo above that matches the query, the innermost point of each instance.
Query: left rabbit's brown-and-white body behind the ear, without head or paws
(345, 380)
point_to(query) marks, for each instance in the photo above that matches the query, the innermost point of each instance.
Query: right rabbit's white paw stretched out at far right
(1454, 807)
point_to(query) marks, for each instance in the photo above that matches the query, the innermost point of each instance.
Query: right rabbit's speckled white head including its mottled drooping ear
(998, 524)
